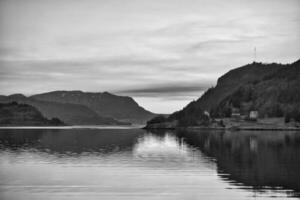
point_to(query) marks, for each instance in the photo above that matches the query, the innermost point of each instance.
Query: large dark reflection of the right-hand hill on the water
(262, 160)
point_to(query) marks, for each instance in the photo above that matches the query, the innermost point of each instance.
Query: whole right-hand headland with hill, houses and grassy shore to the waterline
(256, 96)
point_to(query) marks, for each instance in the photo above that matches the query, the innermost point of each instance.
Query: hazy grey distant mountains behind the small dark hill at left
(85, 108)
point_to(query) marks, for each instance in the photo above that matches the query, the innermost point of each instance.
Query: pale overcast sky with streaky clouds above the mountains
(163, 53)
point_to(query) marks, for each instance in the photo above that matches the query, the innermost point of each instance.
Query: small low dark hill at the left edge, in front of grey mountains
(14, 114)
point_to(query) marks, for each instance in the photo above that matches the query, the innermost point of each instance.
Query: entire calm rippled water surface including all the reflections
(135, 164)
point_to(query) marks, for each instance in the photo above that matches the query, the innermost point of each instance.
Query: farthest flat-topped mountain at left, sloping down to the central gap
(104, 104)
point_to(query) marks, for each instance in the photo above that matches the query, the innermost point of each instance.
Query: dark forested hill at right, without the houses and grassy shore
(271, 89)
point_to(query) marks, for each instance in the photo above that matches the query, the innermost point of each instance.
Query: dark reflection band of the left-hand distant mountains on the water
(76, 141)
